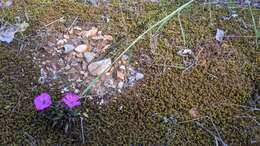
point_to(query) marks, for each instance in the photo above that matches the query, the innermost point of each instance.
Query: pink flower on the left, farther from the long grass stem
(42, 101)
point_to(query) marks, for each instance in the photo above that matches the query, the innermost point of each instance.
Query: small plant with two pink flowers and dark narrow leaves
(61, 115)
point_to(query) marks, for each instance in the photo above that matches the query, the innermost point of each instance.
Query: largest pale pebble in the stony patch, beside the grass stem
(97, 68)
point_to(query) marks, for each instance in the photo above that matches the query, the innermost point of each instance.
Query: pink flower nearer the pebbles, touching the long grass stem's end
(71, 100)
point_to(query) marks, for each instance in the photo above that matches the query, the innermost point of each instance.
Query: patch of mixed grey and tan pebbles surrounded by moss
(74, 53)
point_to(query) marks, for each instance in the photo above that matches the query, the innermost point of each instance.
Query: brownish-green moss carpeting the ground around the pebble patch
(216, 86)
